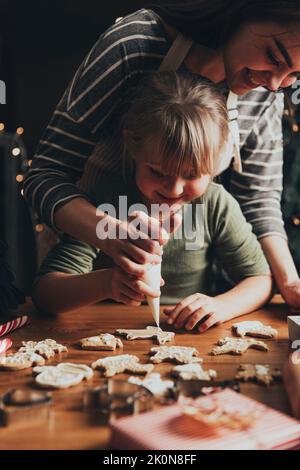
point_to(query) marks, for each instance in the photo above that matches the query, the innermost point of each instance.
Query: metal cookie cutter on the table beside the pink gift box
(118, 397)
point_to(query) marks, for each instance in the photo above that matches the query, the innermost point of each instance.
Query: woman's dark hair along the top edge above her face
(213, 22)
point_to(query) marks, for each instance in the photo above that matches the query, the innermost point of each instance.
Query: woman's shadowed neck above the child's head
(201, 60)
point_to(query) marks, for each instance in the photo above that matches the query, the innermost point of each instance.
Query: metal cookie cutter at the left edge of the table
(19, 406)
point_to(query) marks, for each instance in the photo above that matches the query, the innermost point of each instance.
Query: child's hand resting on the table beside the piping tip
(197, 309)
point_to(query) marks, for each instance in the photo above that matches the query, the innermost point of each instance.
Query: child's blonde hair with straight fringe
(180, 117)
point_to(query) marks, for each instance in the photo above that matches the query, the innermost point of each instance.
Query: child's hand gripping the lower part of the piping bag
(129, 290)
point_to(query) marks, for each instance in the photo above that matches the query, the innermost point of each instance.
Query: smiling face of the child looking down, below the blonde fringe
(160, 188)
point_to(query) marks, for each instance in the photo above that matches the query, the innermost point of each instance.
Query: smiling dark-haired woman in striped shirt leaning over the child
(245, 44)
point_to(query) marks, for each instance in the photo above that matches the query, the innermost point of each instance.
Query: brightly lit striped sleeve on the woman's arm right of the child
(258, 188)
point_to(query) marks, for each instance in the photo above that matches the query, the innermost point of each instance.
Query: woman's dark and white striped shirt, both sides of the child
(88, 114)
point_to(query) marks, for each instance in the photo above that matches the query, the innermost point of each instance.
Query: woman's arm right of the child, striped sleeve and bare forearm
(259, 189)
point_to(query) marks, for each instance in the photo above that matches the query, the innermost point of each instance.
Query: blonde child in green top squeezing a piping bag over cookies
(174, 134)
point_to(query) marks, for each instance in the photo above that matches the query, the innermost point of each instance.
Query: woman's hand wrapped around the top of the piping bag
(137, 242)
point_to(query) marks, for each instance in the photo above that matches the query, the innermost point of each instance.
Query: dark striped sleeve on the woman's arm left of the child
(86, 110)
